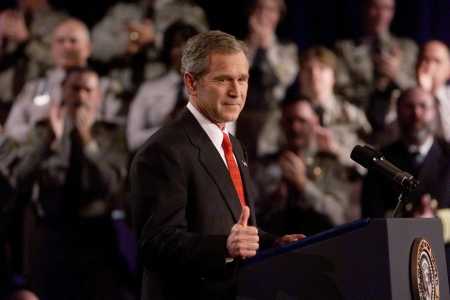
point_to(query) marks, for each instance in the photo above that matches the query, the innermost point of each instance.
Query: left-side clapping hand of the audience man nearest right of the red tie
(293, 169)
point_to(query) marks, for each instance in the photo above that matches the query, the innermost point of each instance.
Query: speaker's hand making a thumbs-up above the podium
(243, 240)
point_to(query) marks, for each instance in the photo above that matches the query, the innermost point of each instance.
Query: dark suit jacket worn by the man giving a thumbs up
(184, 206)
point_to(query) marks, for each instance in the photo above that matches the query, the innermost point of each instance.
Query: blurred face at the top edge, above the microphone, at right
(379, 15)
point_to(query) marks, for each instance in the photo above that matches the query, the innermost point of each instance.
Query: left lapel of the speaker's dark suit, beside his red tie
(211, 160)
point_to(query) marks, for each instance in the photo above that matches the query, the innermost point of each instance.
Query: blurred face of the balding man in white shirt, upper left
(70, 45)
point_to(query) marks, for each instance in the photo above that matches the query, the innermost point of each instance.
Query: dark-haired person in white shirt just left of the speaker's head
(159, 100)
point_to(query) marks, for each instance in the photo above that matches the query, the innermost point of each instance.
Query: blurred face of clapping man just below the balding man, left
(81, 91)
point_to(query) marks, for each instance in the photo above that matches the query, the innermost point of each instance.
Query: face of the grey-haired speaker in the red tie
(220, 93)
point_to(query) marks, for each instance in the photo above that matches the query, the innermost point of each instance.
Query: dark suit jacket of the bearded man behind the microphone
(380, 196)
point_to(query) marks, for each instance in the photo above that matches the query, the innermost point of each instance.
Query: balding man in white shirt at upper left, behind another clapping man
(70, 47)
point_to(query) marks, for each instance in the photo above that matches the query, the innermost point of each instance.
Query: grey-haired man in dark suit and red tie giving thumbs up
(193, 205)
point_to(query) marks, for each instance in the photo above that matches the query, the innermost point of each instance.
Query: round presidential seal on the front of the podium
(424, 274)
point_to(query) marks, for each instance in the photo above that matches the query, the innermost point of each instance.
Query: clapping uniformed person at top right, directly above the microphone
(378, 59)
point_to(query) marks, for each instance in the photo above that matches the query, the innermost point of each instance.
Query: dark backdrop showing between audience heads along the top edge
(307, 22)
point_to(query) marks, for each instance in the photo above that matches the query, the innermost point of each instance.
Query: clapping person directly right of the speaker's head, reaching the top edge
(273, 66)
